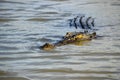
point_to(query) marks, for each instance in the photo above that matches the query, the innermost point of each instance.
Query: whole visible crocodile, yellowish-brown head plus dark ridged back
(74, 37)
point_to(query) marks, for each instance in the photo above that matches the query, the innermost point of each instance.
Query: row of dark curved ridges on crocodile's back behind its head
(82, 22)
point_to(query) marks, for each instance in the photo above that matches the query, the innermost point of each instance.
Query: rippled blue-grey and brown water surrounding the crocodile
(27, 24)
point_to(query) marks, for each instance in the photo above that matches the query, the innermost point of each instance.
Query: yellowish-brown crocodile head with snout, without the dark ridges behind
(70, 38)
